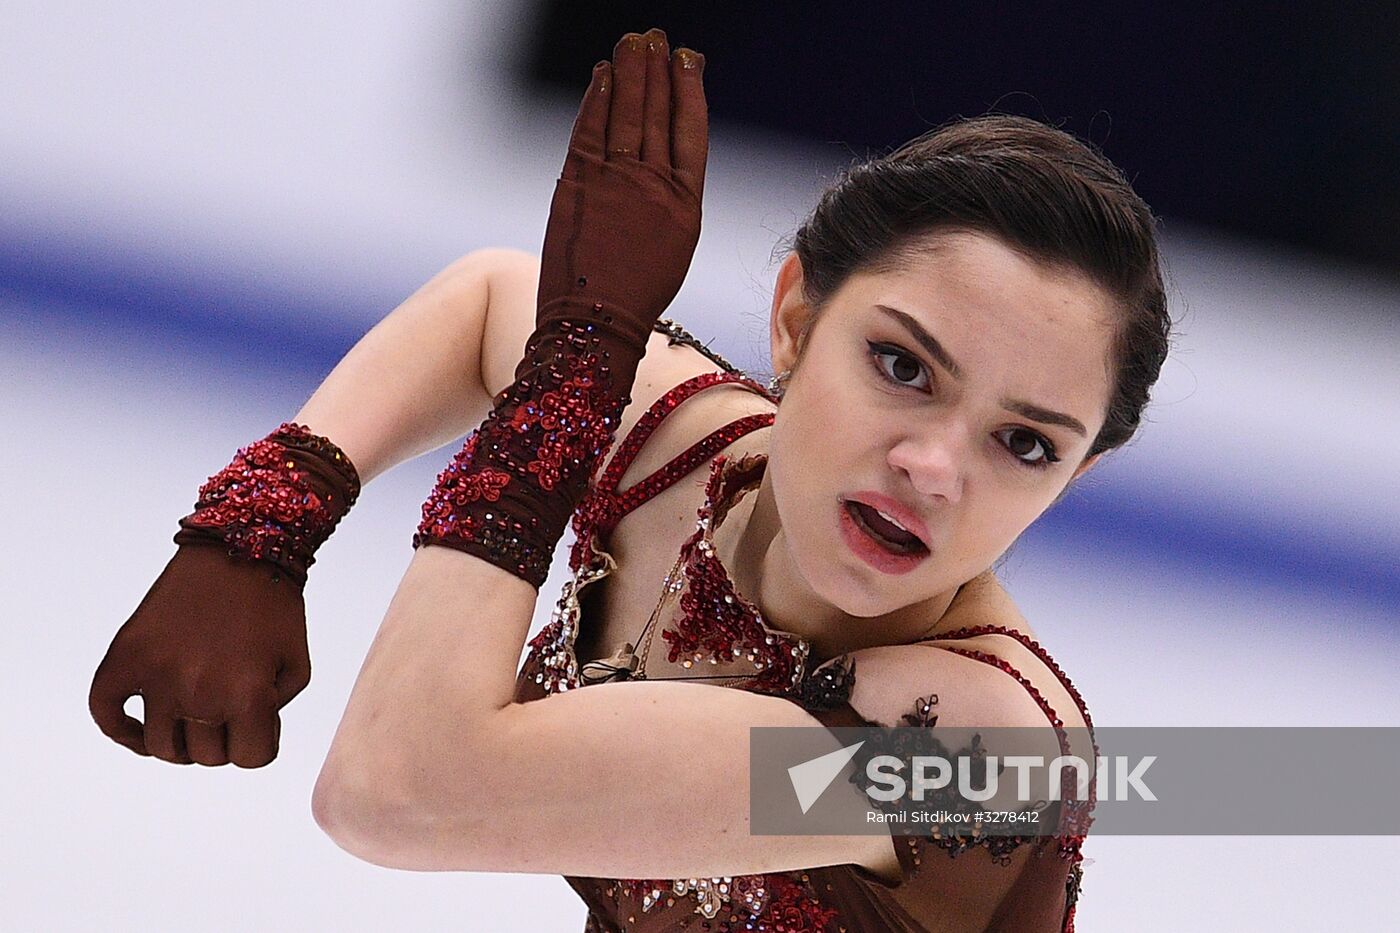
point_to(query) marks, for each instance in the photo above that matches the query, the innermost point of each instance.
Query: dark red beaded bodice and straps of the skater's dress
(705, 630)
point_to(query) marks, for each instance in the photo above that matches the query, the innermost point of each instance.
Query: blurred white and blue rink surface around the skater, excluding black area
(169, 296)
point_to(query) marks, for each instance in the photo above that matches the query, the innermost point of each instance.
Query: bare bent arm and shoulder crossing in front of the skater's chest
(435, 768)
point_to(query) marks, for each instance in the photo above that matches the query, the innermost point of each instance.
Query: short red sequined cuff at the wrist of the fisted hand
(276, 502)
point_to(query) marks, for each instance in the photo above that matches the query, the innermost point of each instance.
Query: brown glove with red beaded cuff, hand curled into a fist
(219, 645)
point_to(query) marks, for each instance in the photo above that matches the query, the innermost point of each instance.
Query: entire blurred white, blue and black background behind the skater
(202, 208)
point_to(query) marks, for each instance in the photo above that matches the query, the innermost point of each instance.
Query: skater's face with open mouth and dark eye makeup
(957, 393)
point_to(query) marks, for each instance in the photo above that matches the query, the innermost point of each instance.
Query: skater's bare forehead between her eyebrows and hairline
(999, 313)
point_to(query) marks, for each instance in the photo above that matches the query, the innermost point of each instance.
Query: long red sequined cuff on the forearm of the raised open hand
(509, 494)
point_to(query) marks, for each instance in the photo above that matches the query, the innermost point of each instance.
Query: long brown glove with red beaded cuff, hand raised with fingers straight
(622, 229)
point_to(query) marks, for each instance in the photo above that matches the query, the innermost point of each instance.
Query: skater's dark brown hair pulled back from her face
(1038, 190)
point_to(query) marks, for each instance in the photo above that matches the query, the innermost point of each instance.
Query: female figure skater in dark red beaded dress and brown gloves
(962, 330)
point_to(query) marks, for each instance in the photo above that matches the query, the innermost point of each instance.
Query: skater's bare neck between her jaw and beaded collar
(761, 564)
